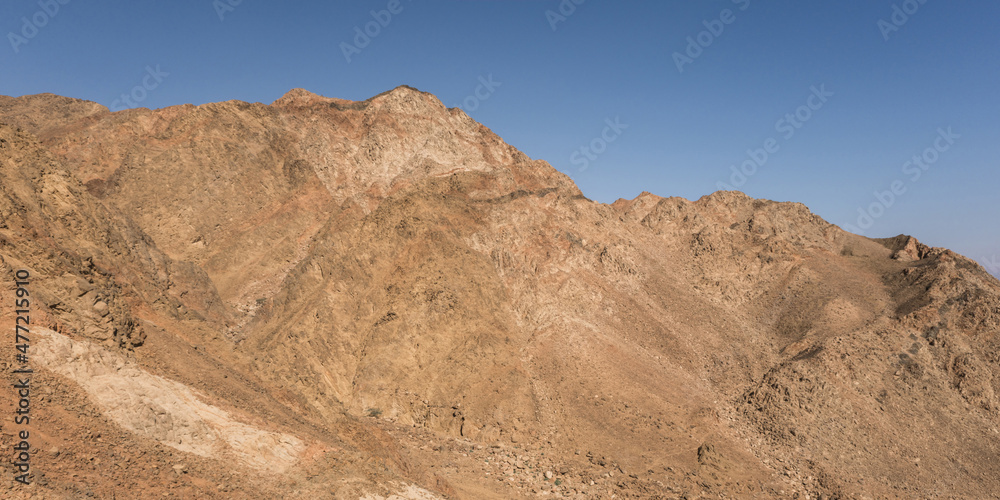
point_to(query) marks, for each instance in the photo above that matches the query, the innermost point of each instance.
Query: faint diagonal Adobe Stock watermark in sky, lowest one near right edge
(914, 169)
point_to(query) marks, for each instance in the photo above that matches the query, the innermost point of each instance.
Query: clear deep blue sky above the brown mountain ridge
(604, 60)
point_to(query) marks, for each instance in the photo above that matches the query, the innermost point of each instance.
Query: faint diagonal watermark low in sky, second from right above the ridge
(787, 126)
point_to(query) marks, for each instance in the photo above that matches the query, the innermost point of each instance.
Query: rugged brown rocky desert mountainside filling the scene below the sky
(388, 299)
